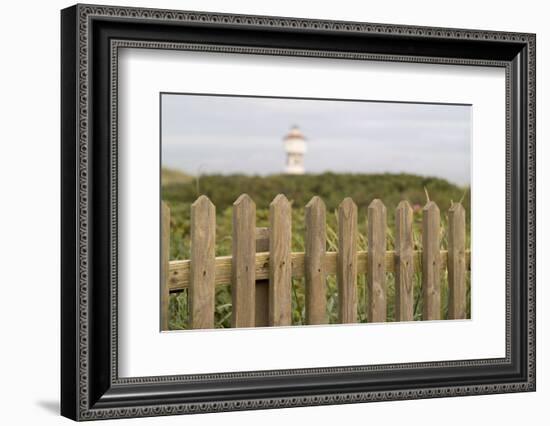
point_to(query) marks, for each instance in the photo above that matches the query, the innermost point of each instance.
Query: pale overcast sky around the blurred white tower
(217, 134)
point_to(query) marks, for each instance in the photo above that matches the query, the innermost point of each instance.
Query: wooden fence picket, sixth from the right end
(315, 245)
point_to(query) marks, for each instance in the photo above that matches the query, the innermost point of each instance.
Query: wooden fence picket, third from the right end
(404, 263)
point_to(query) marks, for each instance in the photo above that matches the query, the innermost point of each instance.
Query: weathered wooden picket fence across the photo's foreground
(262, 264)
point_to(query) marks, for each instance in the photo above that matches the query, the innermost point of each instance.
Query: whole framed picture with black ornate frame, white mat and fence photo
(263, 212)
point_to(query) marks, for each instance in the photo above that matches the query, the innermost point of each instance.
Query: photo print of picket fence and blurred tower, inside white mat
(281, 211)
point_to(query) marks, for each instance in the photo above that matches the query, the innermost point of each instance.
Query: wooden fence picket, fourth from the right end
(376, 262)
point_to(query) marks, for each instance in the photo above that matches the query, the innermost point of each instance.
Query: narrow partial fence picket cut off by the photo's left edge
(165, 267)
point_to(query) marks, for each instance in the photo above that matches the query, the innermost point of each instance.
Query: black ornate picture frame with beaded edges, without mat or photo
(91, 387)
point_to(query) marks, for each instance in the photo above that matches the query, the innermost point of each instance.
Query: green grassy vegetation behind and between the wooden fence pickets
(180, 191)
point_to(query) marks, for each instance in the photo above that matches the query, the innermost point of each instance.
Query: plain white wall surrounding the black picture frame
(29, 211)
